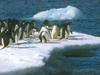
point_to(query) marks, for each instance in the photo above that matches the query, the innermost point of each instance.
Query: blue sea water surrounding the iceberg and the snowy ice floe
(77, 62)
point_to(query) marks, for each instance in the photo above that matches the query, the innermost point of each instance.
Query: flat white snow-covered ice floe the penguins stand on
(29, 53)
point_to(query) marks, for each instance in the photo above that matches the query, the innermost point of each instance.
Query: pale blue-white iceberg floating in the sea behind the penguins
(67, 13)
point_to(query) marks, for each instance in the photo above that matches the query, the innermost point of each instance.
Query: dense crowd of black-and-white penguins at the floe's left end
(12, 30)
